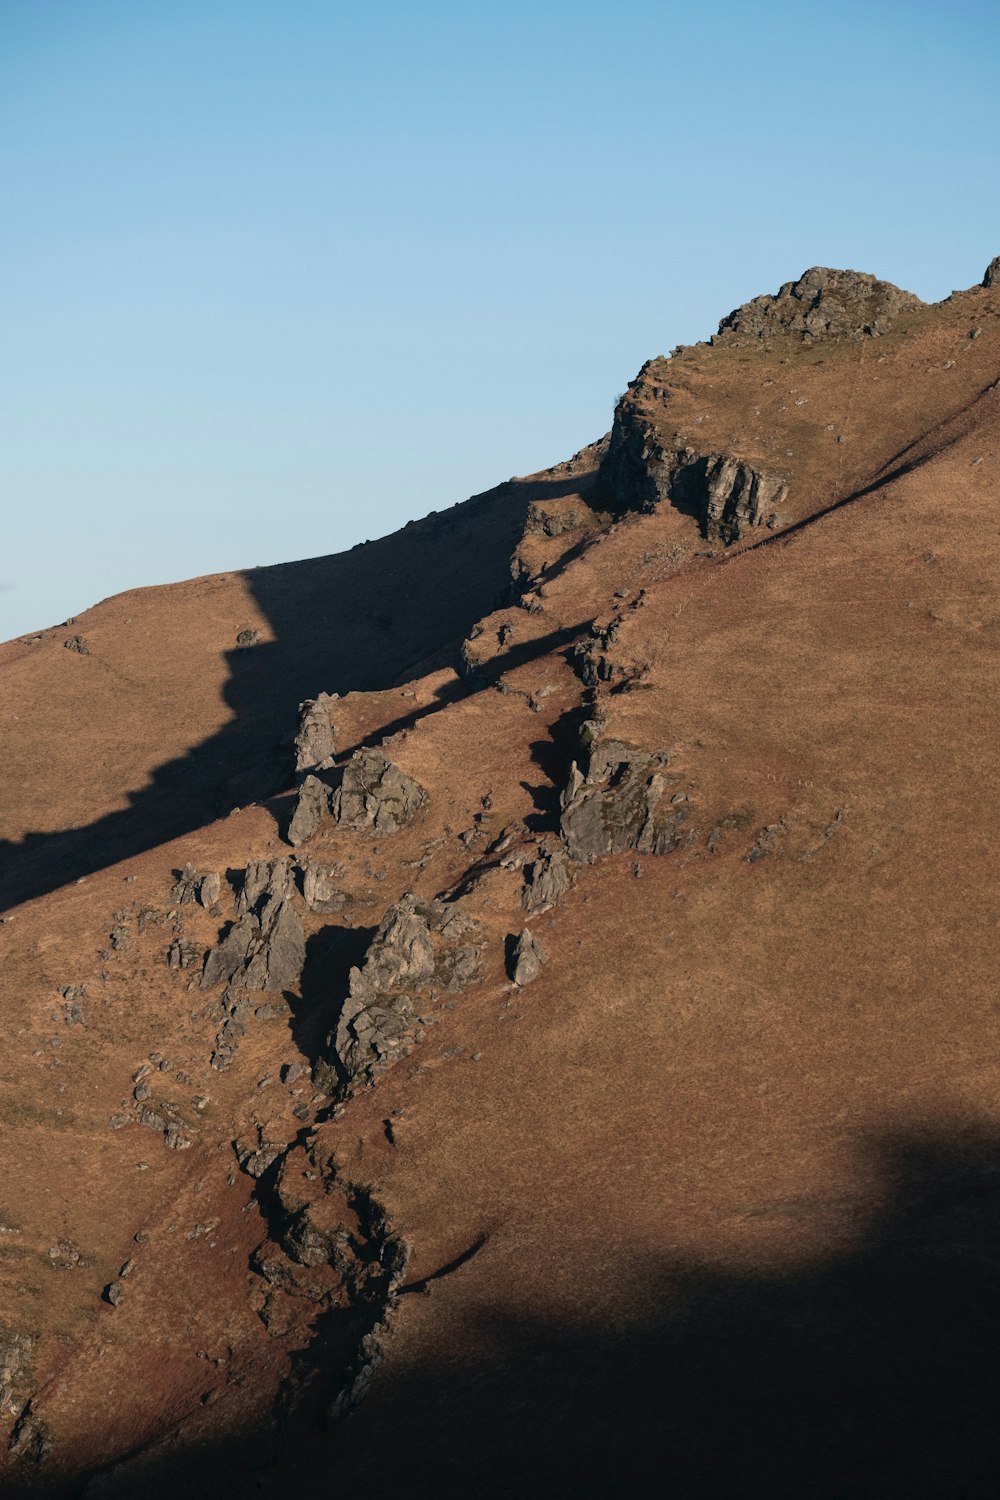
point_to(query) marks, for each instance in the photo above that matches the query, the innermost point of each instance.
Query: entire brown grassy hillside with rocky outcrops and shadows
(596, 1007)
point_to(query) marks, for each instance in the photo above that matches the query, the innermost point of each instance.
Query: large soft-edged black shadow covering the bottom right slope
(869, 1373)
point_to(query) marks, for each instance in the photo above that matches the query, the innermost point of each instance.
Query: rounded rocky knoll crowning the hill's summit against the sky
(822, 304)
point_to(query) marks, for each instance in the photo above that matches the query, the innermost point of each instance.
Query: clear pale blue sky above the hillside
(280, 277)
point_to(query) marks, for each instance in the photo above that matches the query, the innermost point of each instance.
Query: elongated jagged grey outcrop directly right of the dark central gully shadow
(419, 949)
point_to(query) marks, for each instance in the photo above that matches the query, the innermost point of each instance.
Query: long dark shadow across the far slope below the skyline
(362, 620)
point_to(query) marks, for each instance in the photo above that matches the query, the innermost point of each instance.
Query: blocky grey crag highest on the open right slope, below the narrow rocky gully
(623, 800)
